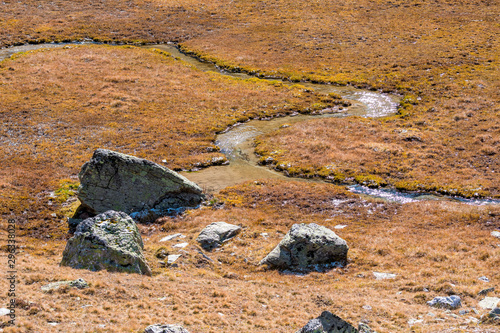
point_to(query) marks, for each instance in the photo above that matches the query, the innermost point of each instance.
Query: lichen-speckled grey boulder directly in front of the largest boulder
(110, 241)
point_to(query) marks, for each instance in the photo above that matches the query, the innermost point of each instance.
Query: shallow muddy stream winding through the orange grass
(237, 143)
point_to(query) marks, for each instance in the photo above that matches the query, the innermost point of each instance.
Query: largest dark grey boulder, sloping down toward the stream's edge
(115, 181)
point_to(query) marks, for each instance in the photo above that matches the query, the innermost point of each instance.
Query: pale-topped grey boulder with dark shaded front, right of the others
(308, 247)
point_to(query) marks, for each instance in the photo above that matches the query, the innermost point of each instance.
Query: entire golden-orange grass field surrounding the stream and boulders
(58, 105)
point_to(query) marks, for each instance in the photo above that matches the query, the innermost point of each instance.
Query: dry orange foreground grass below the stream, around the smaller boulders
(441, 246)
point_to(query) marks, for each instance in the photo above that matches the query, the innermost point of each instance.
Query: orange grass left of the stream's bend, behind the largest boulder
(58, 106)
